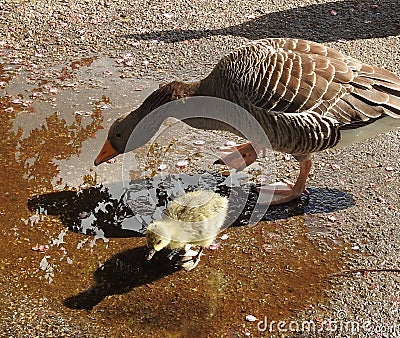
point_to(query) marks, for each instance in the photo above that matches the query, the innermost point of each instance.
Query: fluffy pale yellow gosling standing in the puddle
(194, 218)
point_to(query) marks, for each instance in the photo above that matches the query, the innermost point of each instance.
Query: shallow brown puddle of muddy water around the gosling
(72, 233)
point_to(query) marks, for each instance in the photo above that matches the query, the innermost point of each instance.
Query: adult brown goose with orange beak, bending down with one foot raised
(306, 97)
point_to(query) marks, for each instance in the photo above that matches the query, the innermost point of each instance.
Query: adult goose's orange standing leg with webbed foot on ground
(286, 191)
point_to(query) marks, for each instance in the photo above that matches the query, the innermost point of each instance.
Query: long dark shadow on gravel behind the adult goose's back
(331, 21)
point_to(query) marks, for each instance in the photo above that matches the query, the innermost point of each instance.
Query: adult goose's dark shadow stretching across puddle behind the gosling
(118, 211)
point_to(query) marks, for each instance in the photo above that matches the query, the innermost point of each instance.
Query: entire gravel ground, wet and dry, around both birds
(71, 246)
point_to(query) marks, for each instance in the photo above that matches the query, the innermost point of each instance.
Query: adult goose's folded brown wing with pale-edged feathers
(294, 76)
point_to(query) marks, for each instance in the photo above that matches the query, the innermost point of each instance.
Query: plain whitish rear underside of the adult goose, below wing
(383, 125)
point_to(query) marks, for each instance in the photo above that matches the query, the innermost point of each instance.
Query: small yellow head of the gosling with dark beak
(158, 237)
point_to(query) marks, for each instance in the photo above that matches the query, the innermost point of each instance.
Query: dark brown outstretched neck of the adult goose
(213, 106)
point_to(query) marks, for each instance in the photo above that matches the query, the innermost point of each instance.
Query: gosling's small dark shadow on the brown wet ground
(120, 274)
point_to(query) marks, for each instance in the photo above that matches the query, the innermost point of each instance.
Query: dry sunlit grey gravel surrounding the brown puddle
(165, 40)
